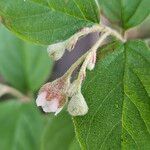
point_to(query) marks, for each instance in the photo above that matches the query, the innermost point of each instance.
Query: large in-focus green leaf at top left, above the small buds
(47, 22)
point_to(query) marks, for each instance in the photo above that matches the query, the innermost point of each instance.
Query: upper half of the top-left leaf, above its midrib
(85, 9)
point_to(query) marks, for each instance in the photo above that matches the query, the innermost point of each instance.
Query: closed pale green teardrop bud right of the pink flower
(77, 105)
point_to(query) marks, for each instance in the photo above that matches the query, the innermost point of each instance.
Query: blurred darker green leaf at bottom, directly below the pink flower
(59, 133)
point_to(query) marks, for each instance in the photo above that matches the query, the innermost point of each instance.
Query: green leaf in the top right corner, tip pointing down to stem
(126, 13)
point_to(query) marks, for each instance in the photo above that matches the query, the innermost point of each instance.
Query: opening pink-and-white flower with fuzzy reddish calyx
(52, 96)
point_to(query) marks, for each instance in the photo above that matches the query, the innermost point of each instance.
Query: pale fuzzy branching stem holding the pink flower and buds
(96, 28)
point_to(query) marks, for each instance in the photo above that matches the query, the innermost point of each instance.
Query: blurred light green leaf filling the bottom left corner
(21, 126)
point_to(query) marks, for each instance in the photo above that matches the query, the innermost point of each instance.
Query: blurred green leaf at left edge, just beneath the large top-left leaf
(23, 65)
